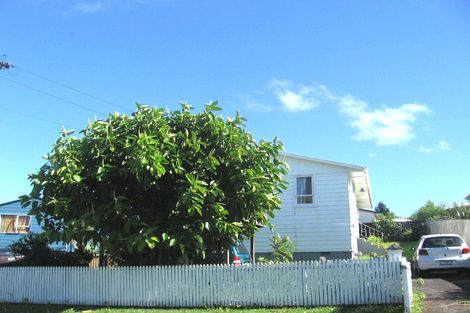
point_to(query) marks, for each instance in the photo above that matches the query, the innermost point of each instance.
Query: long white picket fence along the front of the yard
(340, 282)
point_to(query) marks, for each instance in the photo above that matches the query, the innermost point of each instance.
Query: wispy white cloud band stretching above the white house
(384, 126)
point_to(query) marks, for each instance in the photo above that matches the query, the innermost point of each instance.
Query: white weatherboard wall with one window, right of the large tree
(322, 228)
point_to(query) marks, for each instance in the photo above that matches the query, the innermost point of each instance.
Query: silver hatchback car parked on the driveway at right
(441, 252)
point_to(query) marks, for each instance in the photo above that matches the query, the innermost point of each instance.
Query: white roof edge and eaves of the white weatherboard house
(358, 174)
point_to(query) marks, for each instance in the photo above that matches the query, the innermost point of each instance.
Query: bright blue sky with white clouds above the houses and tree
(383, 84)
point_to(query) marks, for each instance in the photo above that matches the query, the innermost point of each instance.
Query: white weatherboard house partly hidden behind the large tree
(319, 210)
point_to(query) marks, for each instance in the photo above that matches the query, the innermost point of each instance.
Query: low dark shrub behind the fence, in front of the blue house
(34, 251)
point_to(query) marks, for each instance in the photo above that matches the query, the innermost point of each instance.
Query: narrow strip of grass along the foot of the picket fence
(30, 308)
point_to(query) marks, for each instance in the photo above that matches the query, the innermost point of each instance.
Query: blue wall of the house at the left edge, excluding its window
(15, 208)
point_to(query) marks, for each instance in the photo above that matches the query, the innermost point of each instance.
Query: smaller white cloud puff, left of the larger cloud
(295, 98)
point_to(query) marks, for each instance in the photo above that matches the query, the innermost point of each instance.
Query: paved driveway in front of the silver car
(448, 293)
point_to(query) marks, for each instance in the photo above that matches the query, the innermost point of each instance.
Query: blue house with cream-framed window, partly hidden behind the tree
(16, 222)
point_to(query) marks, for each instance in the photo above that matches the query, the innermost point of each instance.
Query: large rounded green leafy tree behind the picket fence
(159, 187)
